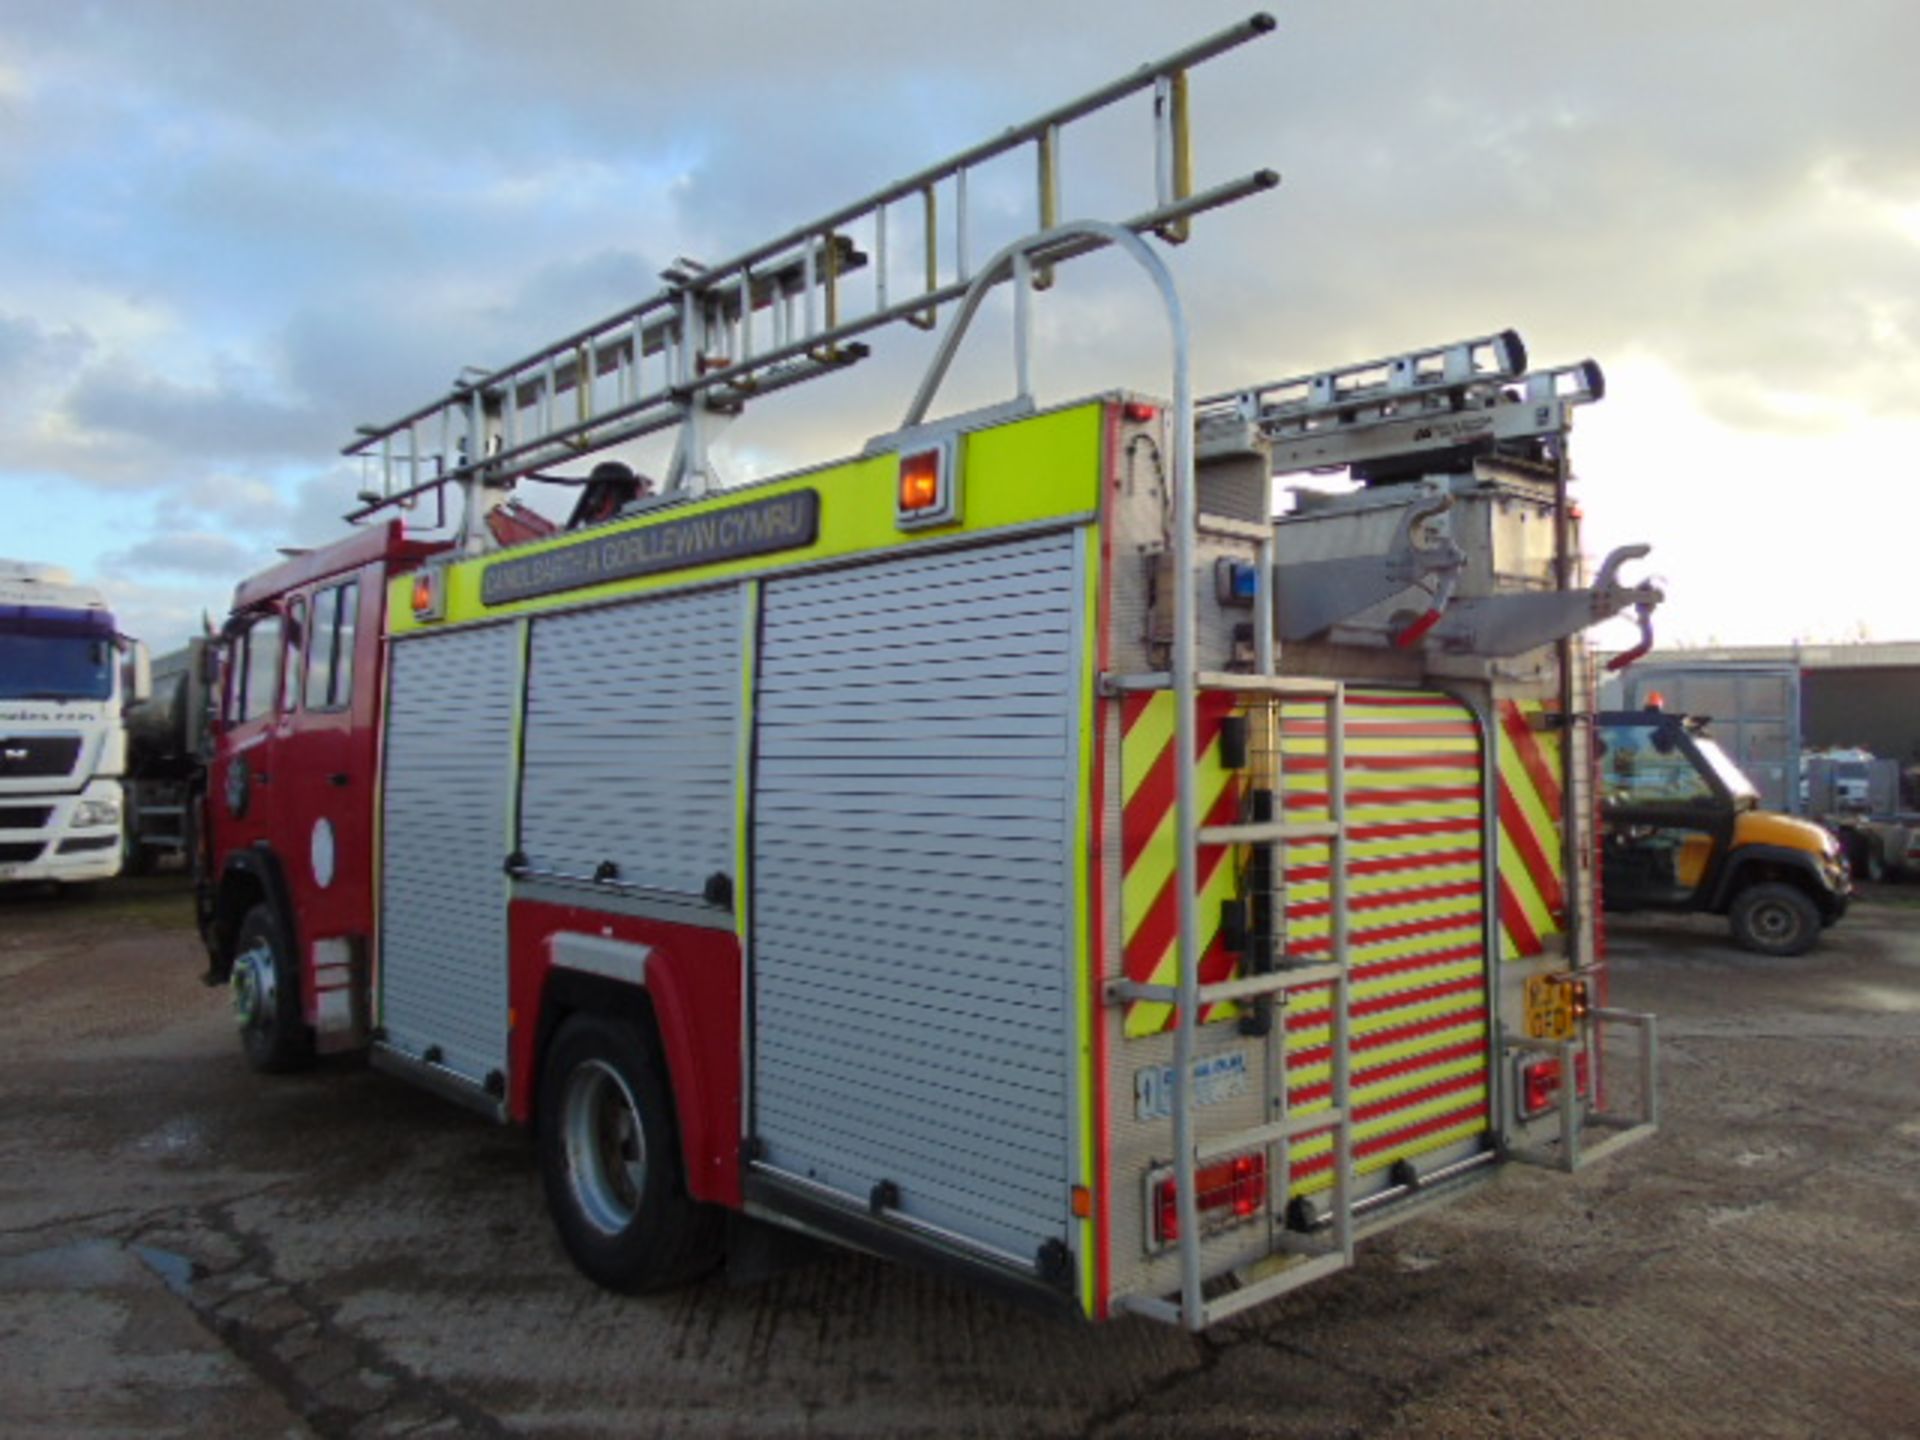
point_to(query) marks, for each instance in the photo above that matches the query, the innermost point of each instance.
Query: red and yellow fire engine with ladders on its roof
(1009, 848)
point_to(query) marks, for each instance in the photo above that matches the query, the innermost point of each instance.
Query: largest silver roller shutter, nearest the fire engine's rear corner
(913, 884)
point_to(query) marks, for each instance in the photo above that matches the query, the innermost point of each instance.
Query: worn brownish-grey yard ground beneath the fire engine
(189, 1249)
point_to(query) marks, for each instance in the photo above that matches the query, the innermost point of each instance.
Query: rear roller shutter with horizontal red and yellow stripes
(1416, 928)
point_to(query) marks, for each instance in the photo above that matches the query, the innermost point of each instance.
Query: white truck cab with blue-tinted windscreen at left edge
(66, 677)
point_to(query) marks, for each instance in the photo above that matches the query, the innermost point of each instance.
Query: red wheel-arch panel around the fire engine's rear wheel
(694, 982)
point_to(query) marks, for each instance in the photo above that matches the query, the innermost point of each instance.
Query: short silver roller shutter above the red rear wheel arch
(633, 721)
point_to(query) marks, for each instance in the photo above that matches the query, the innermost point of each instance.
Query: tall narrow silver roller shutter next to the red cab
(444, 832)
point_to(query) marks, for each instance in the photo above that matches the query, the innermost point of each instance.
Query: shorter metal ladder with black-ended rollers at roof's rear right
(1468, 393)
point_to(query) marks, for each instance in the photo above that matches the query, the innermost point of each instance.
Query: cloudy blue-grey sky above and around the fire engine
(235, 229)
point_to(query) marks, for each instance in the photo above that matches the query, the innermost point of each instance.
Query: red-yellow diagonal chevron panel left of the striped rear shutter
(1149, 896)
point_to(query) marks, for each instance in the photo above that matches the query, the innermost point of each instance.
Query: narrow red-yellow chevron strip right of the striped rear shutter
(1533, 900)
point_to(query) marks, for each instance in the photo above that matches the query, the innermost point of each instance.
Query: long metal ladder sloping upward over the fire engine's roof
(779, 314)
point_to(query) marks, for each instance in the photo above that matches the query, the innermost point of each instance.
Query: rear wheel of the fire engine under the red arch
(610, 1159)
